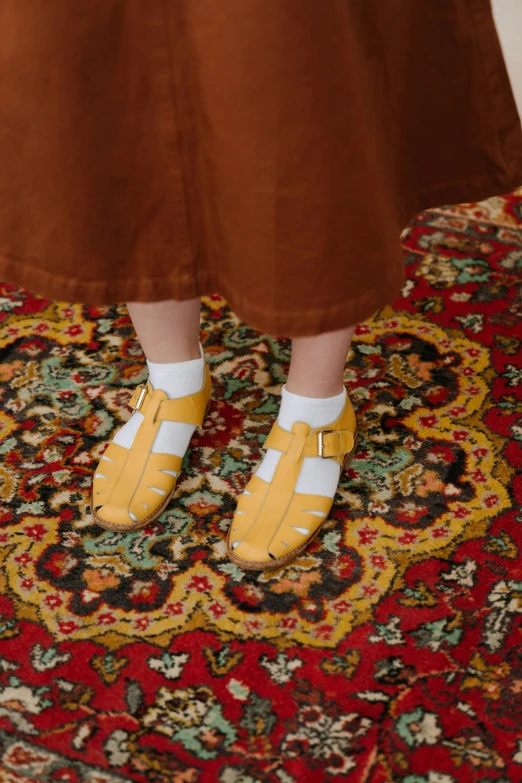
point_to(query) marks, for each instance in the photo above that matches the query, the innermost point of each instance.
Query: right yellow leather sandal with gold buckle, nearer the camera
(273, 524)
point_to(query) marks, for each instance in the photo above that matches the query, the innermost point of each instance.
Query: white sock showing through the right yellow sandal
(318, 476)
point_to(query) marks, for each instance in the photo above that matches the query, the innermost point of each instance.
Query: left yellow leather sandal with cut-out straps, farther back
(133, 486)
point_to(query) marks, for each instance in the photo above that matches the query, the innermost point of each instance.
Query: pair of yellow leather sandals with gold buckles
(272, 524)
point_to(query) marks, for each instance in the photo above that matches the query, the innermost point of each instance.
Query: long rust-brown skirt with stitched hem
(268, 150)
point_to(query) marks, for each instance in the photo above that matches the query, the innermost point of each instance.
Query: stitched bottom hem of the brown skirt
(26, 273)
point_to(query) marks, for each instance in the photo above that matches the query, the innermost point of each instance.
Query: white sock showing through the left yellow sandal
(177, 379)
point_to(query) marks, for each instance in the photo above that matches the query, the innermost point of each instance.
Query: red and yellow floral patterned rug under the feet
(390, 651)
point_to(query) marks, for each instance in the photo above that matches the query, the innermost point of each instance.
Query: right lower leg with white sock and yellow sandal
(291, 493)
